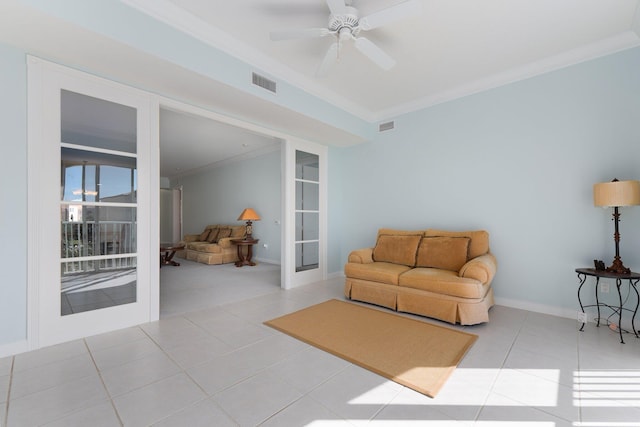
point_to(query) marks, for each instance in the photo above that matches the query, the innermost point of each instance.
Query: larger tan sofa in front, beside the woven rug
(441, 274)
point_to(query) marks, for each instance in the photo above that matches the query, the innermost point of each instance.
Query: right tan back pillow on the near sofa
(446, 253)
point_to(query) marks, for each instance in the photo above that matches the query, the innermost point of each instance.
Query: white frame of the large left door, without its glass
(45, 81)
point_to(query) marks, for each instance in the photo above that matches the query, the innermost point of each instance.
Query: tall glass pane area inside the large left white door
(98, 207)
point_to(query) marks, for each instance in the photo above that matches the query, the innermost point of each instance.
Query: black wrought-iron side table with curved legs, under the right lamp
(633, 279)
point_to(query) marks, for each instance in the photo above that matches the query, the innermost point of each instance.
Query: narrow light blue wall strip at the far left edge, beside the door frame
(13, 193)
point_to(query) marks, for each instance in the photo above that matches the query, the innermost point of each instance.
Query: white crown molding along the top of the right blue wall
(627, 40)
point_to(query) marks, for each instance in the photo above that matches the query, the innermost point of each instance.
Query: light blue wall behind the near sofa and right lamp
(519, 161)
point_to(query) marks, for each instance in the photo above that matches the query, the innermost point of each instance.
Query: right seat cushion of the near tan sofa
(442, 282)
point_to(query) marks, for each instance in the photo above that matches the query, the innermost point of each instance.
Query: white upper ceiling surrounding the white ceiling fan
(454, 47)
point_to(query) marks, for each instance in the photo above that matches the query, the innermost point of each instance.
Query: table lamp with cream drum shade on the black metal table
(616, 194)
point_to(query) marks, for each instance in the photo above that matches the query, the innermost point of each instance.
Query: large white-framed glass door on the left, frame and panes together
(91, 190)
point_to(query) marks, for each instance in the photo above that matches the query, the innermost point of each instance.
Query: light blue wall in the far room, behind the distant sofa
(219, 195)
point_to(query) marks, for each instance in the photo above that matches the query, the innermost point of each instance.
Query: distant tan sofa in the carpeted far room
(213, 245)
